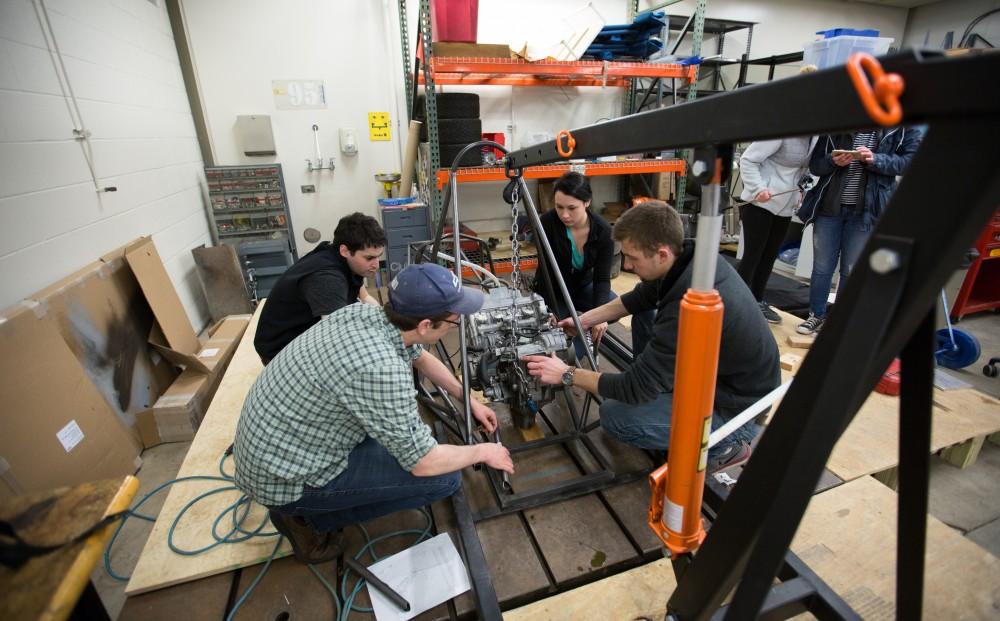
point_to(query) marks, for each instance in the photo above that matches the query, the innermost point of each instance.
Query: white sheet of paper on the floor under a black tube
(425, 575)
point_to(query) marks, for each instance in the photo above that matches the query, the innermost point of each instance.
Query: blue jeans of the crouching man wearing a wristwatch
(647, 425)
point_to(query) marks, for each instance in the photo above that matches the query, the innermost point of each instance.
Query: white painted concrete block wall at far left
(122, 66)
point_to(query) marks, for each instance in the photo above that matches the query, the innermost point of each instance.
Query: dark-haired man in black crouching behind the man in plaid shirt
(327, 279)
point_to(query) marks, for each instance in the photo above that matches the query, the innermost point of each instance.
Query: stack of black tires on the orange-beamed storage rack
(458, 126)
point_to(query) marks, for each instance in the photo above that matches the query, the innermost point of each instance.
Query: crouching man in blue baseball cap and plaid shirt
(330, 435)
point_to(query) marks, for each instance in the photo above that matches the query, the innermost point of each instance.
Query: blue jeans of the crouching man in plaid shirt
(372, 486)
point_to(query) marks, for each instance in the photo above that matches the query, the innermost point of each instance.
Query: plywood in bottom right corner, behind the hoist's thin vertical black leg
(848, 537)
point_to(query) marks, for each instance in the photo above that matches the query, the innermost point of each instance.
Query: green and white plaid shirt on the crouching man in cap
(347, 377)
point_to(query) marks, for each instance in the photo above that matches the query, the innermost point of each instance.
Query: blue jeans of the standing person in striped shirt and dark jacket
(834, 237)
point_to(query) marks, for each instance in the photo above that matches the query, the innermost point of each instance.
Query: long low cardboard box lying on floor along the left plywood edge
(177, 414)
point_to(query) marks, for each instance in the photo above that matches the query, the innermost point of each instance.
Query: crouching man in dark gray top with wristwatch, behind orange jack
(637, 402)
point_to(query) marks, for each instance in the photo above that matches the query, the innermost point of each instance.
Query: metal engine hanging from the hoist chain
(508, 326)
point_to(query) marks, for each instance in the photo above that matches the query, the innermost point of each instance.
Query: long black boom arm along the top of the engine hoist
(824, 101)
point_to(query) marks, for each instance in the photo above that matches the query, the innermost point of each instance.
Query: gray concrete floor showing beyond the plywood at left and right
(967, 500)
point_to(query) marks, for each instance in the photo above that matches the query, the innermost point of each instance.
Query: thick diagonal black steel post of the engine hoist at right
(928, 226)
